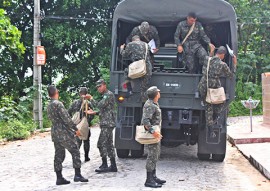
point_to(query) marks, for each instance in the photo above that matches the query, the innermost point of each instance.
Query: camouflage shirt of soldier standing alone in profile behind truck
(151, 114)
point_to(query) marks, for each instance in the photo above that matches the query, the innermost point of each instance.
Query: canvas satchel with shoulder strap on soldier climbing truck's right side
(214, 95)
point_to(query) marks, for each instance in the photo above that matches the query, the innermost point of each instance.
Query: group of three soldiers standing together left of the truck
(65, 133)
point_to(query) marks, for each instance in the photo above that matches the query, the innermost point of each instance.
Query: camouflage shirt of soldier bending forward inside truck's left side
(152, 34)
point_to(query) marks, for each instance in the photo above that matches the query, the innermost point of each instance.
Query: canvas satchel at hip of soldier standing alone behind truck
(144, 137)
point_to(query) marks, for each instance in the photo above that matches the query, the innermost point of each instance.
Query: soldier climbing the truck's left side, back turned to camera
(134, 51)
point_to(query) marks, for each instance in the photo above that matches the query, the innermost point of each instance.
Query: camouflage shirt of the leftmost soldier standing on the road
(62, 125)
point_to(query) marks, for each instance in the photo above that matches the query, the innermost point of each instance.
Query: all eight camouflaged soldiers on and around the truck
(65, 133)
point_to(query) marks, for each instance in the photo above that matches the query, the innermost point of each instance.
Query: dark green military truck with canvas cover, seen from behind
(183, 115)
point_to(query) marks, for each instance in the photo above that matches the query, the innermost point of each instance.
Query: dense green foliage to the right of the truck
(254, 51)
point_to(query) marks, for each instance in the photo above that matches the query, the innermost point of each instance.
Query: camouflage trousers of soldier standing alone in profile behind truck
(152, 157)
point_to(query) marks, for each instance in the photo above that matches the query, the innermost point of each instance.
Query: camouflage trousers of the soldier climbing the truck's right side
(212, 112)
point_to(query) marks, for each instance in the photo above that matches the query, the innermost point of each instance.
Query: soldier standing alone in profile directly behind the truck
(152, 116)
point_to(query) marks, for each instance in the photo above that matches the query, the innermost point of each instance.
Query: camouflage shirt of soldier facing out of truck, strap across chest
(197, 34)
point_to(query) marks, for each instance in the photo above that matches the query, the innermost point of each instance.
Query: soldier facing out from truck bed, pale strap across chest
(192, 48)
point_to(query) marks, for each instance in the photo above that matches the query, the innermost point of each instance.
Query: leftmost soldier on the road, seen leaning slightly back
(63, 133)
